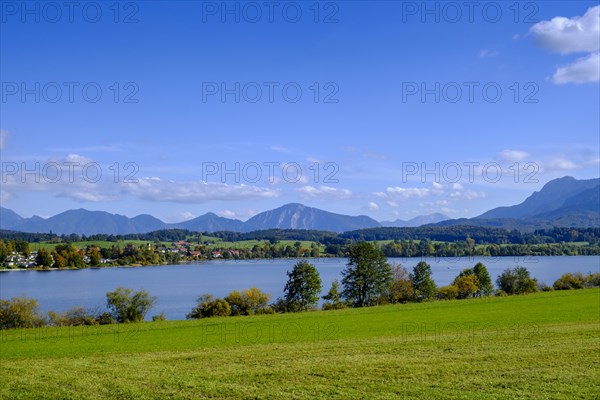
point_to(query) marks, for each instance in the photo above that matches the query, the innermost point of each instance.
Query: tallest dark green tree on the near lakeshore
(368, 275)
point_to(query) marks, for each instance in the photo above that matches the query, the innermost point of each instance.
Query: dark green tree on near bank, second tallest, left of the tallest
(303, 287)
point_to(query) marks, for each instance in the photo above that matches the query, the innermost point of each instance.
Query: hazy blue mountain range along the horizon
(561, 202)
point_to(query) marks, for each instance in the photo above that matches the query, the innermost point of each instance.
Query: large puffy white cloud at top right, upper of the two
(570, 35)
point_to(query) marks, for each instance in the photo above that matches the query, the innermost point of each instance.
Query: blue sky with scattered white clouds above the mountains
(389, 109)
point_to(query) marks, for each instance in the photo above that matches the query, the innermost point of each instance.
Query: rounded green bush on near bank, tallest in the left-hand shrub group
(129, 306)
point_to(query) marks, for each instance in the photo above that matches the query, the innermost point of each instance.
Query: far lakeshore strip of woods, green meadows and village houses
(35, 251)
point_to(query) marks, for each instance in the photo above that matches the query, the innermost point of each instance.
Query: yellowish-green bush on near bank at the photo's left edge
(20, 312)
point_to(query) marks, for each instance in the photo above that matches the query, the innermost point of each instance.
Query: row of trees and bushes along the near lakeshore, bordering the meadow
(368, 280)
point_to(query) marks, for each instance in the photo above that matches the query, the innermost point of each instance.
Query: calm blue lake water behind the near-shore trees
(178, 286)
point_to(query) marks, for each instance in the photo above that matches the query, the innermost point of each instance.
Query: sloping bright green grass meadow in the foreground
(540, 346)
